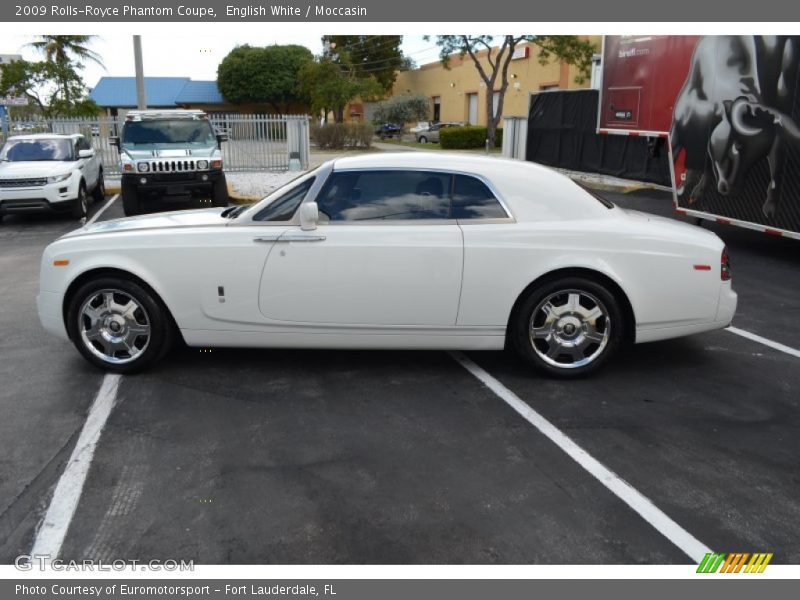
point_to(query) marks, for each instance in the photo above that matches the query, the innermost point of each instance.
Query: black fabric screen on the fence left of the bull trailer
(562, 133)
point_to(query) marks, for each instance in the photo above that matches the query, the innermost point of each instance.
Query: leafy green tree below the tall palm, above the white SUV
(56, 89)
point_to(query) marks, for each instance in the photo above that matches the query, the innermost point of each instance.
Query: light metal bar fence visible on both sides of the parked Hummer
(255, 142)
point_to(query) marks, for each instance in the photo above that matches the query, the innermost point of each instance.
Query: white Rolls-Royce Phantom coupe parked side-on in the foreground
(397, 251)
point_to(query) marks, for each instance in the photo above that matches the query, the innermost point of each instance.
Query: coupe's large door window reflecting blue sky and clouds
(386, 195)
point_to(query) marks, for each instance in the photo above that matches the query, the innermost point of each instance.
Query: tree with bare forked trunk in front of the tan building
(494, 71)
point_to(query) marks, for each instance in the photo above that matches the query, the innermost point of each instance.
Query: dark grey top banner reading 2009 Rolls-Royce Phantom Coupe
(464, 11)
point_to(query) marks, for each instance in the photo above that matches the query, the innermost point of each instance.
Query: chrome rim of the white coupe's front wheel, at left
(114, 326)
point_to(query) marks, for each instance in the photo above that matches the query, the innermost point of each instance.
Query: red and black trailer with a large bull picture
(728, 109)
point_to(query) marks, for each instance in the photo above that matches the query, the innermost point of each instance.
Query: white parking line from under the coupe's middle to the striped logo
(676, 534)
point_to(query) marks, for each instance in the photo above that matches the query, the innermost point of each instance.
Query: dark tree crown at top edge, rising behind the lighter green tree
(366, 56)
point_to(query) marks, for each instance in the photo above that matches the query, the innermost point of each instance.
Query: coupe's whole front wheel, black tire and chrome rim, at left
(118, 325)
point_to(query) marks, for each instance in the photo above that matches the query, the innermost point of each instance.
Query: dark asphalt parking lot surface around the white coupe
(276, 456)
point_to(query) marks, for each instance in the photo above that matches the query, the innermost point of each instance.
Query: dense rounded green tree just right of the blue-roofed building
(267, 75)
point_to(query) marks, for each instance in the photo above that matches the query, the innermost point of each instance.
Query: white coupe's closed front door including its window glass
(386, 253)
